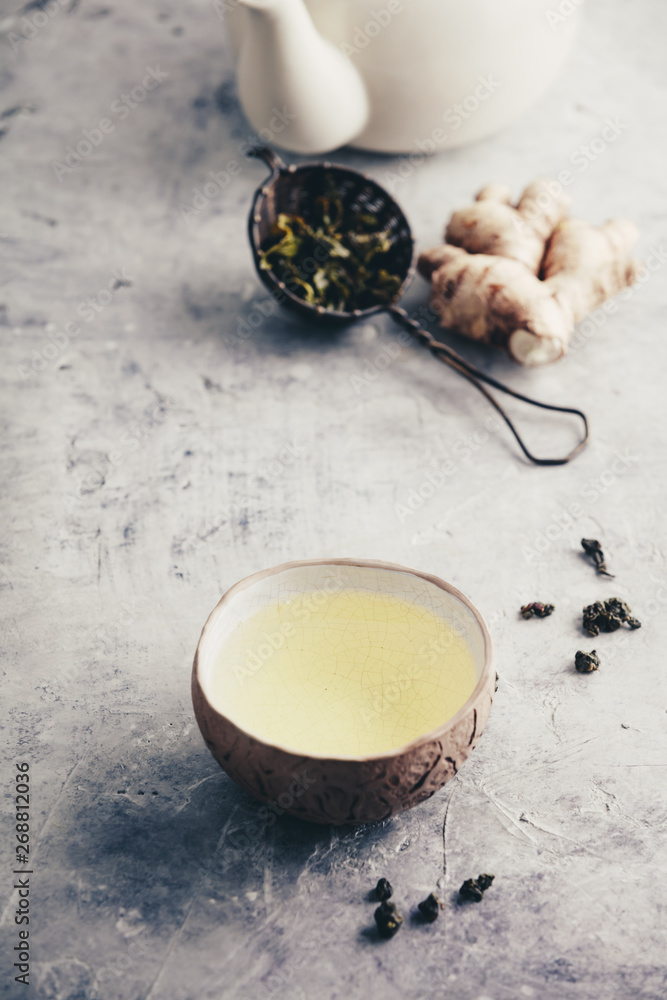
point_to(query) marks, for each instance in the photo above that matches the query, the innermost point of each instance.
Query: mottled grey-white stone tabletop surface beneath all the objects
(142, 476)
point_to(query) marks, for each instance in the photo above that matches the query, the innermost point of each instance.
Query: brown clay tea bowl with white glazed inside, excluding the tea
(336, 788)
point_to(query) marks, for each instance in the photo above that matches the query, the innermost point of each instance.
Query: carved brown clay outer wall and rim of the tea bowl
(346, 790)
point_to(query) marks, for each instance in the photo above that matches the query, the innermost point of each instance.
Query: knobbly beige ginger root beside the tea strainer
(521, 278)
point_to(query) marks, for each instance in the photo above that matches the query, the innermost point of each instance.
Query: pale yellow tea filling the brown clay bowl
(342, 674)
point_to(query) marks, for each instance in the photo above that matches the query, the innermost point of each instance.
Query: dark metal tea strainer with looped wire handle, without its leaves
(293, 190)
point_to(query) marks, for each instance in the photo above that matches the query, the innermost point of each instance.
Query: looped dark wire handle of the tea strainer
(449, 357)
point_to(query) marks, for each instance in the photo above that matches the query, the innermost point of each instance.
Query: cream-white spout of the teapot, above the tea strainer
(295, 83)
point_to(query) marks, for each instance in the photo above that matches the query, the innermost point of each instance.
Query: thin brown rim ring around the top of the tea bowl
(434, 734)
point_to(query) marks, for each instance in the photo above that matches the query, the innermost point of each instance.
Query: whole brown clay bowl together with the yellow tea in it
(342, 691)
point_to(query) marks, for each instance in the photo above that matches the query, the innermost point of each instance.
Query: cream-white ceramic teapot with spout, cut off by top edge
(393, 76)
